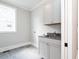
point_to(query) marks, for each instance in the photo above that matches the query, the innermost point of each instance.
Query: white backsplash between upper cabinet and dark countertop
(49, 29)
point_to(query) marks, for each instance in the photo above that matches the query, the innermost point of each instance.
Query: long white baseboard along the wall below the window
(14, 46)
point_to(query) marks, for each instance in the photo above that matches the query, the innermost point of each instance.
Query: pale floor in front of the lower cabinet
(21, 53)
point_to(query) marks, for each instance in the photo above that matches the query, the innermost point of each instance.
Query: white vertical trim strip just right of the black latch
(69, 28)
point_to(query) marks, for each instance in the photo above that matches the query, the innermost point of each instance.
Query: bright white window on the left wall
(7, 18)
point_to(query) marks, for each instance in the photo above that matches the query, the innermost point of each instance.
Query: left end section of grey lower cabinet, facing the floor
(44, 50)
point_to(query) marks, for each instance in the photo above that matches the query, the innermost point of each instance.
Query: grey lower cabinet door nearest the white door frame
(55, 52)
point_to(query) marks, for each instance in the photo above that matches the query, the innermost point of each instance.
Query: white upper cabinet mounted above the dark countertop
(52, 12)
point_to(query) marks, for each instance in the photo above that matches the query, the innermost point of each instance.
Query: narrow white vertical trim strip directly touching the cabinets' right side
(62, 28)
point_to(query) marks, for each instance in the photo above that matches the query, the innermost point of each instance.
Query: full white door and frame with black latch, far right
(69, 18)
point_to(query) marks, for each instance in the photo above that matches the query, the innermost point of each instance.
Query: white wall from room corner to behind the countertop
(38, 27)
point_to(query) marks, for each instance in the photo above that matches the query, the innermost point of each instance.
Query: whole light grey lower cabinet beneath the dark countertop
(49, 51)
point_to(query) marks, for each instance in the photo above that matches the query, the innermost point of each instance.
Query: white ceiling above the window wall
(25, 4)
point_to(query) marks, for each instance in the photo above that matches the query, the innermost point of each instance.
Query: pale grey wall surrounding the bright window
(22, 35)
